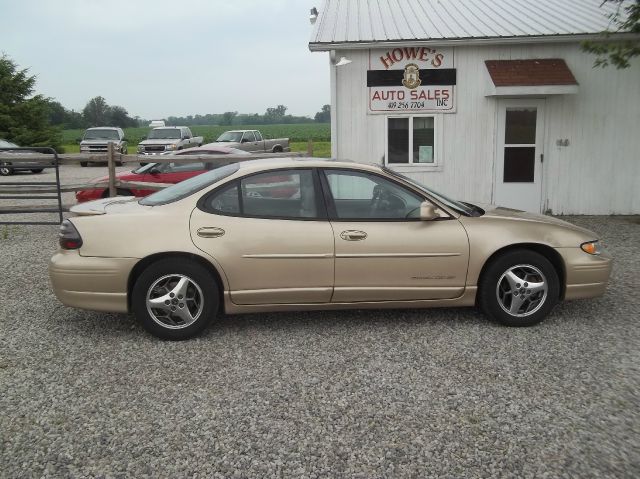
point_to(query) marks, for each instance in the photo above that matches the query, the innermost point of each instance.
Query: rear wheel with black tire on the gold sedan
(157, 281)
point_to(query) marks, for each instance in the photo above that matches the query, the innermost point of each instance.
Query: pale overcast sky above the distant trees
(160, 58)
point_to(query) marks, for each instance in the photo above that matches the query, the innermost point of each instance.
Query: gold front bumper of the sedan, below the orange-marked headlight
(587, 275)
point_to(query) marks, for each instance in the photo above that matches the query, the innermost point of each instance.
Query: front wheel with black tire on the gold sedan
(533, 303)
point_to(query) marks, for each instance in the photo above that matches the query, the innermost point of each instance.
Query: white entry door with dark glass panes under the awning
(519, 154)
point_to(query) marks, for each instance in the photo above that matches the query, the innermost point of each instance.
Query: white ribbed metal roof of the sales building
(387, 20)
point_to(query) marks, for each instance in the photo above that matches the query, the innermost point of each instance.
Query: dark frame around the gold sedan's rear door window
(321, 204)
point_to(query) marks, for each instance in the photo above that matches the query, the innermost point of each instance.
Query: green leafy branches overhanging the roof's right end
(618, 52)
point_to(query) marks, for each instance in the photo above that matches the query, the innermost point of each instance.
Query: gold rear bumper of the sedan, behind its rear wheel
(98, 284)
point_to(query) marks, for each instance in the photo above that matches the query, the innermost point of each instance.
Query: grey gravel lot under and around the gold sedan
(416, 393)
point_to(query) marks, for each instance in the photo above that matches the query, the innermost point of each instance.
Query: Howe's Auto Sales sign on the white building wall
(411, 79)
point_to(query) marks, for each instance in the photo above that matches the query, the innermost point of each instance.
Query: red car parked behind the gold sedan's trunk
(160, 173)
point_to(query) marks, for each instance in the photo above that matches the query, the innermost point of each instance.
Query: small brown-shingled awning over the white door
(541, 77)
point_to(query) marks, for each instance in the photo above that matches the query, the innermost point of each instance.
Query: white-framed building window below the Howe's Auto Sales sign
(411, 140)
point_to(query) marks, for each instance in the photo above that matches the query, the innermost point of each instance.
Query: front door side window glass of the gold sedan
(358, 195)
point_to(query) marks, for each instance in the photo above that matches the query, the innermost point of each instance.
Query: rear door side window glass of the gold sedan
(282, 194)
